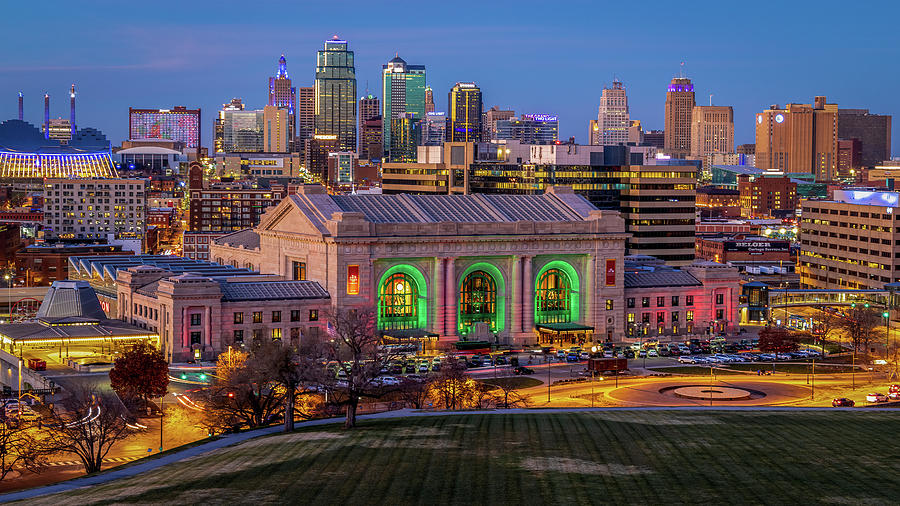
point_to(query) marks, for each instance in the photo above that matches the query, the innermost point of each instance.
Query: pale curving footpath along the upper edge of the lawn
(233, 439)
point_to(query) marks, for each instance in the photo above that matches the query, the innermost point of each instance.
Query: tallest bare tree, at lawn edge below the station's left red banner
(354, 345)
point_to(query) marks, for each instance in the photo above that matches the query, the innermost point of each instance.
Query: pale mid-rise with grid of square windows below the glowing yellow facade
(95, 208)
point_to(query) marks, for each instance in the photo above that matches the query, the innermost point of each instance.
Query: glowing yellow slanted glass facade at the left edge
(65, 165)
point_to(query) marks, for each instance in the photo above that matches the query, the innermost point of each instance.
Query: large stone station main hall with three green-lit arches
(511, 269)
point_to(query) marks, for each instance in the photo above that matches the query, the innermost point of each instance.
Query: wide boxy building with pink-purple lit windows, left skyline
(179, 124)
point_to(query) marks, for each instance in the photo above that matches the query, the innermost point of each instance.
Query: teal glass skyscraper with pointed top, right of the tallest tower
(403, 91)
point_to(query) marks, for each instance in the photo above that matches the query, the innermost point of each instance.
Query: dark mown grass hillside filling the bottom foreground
(623, 457)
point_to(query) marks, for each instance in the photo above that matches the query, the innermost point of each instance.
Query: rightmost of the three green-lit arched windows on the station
(559, 299)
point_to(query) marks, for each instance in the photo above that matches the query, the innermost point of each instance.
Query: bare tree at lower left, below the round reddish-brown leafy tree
(89, 427)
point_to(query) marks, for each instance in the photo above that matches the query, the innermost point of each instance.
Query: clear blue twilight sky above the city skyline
(531, 56)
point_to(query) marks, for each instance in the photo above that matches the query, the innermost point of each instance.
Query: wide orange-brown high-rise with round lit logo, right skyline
(798, 139)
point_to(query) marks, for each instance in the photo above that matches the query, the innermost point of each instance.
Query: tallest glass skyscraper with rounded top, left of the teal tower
(336, 94)
